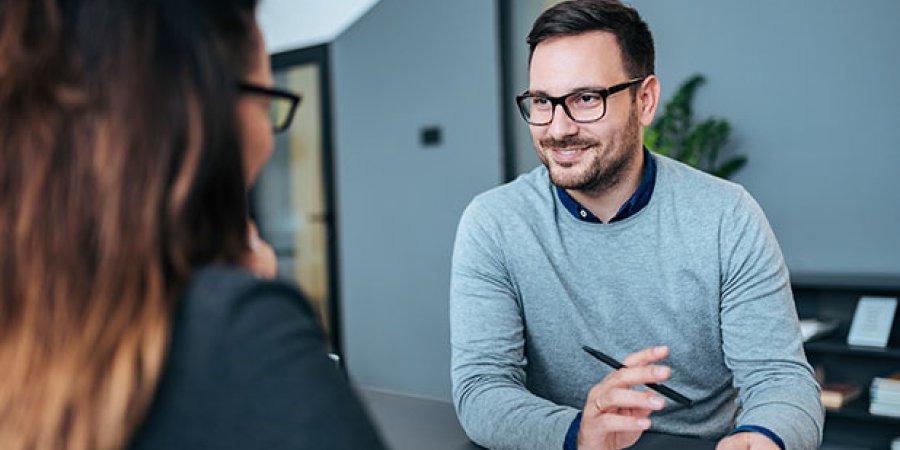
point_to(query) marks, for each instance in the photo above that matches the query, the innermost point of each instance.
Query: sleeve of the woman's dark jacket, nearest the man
(277, 387)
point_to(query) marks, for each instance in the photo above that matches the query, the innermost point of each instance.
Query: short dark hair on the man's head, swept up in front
(581, 16)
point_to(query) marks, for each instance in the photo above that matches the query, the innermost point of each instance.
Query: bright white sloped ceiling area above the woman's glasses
(291, 24)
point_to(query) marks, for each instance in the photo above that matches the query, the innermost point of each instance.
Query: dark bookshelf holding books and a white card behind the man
(830, 297)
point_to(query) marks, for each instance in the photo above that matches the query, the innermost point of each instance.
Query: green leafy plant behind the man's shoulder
(700, 145)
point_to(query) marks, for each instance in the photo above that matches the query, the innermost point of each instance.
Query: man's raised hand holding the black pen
(615, 415)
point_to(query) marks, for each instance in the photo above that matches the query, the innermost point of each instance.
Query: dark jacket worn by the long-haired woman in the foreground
(247, 369)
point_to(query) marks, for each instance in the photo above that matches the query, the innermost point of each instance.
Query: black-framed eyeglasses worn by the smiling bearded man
(584, 106)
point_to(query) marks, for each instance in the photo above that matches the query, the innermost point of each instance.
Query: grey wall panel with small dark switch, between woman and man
(408, 64)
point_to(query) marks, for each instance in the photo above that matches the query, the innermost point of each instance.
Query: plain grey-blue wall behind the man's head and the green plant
(812, 91)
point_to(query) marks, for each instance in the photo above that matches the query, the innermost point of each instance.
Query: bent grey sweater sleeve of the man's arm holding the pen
(488, 347)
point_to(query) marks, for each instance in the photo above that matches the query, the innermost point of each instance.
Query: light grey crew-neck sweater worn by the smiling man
(697, 269)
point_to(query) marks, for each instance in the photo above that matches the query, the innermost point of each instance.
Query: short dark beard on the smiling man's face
(605, 163)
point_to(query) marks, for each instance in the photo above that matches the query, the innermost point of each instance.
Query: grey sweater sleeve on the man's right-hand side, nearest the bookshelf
(760, 332)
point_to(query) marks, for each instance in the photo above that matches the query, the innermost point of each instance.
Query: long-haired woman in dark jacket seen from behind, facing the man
(129, 132)
